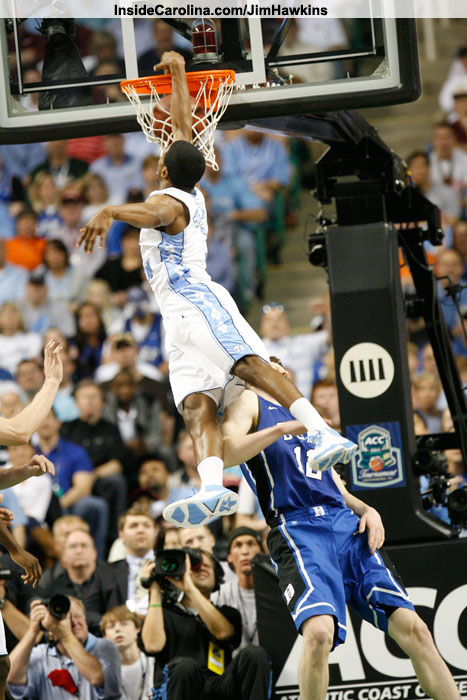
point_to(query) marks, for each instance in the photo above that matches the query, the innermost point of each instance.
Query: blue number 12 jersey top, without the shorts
(281, 475)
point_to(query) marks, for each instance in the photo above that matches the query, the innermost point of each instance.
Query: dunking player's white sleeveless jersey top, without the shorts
(171, 260)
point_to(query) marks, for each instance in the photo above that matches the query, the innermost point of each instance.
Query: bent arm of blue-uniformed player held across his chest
(239, 418)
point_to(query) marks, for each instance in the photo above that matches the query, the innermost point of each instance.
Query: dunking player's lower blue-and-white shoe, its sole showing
(210, 502)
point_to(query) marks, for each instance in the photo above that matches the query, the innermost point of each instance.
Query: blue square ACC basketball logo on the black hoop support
(379, 461)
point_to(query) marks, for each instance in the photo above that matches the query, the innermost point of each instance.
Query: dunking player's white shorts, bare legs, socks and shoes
(212, 342)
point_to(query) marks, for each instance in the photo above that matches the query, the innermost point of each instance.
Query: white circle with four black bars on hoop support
(367, 370)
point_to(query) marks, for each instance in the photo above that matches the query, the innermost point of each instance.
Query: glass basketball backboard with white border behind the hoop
(304, 66)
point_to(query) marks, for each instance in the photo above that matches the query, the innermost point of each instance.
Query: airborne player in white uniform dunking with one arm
(212, 350)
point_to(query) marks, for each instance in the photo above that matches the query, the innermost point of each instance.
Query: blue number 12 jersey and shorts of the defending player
(321, 560)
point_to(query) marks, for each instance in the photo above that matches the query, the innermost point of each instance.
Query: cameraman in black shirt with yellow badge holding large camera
(192, 641)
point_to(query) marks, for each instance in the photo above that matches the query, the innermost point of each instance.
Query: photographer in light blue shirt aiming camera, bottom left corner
(72, 660)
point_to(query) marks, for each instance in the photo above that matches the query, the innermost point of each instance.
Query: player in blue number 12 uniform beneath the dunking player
(319, 547)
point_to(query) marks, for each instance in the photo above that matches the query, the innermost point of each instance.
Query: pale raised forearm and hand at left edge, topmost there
(18, 430)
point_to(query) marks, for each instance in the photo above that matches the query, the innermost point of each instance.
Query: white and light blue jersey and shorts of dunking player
(205, 334)
